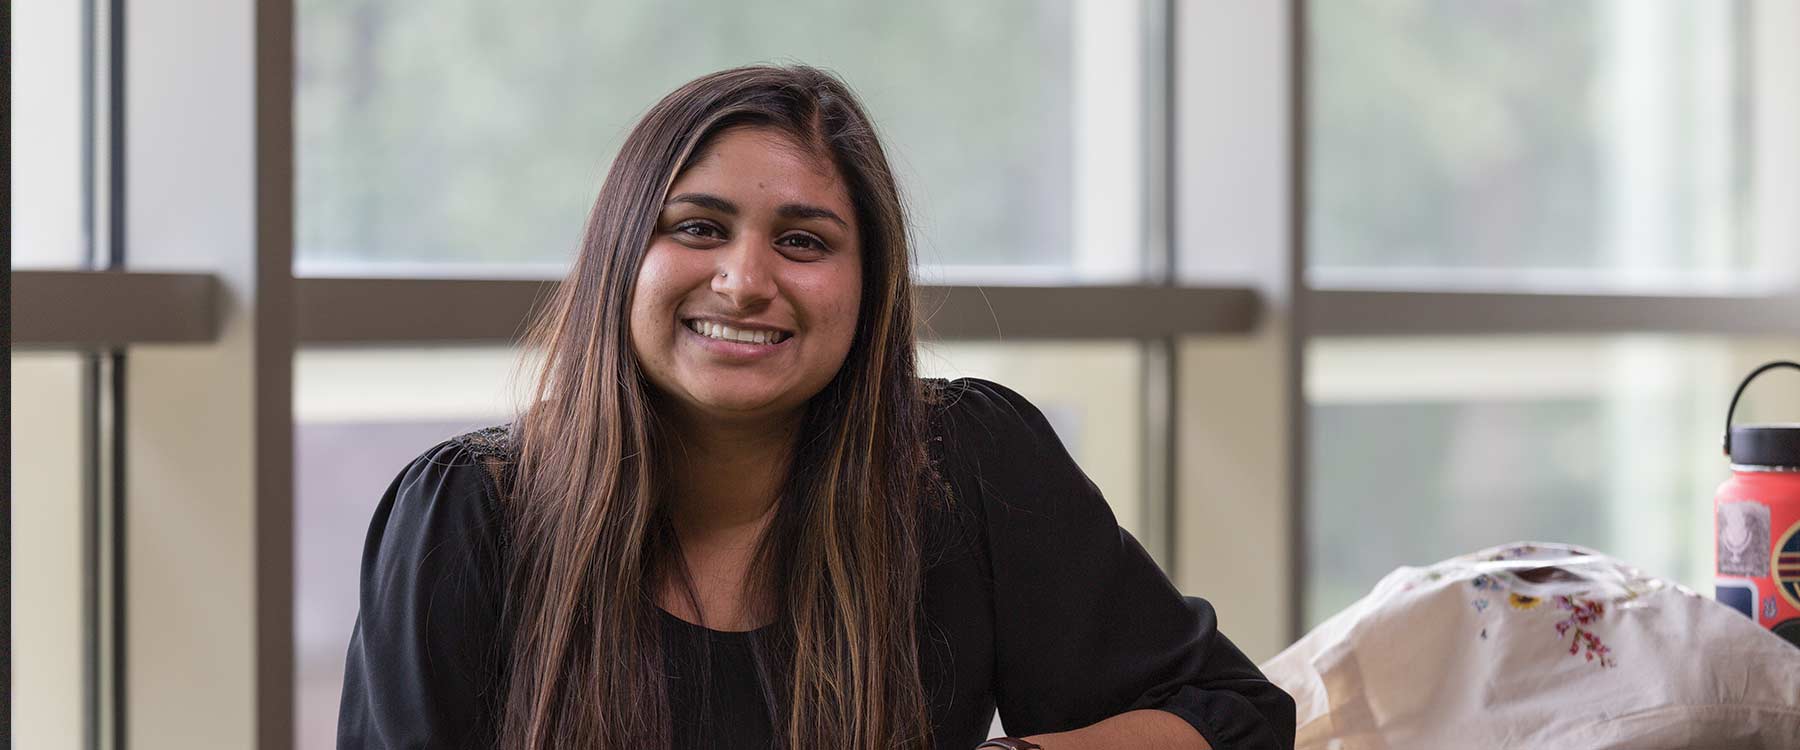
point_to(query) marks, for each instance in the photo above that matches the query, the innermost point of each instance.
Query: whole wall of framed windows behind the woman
(1518, 231)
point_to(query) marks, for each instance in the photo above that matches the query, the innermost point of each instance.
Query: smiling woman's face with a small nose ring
(748, 298)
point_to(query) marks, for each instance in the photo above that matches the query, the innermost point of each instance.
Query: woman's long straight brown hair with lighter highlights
(588, 517)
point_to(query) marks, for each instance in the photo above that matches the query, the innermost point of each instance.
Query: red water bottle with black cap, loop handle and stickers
(1758, 521)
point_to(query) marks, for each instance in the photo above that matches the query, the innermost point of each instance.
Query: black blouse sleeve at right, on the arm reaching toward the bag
(1086, 623)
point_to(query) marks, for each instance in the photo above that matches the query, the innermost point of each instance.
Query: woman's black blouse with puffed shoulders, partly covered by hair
(1034, 602)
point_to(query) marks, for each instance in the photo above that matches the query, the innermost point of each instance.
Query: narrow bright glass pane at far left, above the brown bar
(48, 136)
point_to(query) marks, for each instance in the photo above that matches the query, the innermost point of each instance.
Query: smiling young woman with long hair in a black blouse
(735, 517)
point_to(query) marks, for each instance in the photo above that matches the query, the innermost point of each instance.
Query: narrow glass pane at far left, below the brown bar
(49, 551)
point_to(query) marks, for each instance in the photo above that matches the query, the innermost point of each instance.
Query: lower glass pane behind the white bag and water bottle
(1432, 449)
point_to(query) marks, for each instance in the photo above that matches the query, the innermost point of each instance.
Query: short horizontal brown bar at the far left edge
(114, 308)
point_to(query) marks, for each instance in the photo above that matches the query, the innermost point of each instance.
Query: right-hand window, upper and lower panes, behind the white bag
(1543, 238)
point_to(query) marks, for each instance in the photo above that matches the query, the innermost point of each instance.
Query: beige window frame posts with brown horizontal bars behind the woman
(1227, 312)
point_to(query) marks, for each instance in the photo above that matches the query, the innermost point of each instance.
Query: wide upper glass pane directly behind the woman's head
(433, 138)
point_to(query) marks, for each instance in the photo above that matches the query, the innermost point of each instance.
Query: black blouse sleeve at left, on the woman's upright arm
(422, 666)
